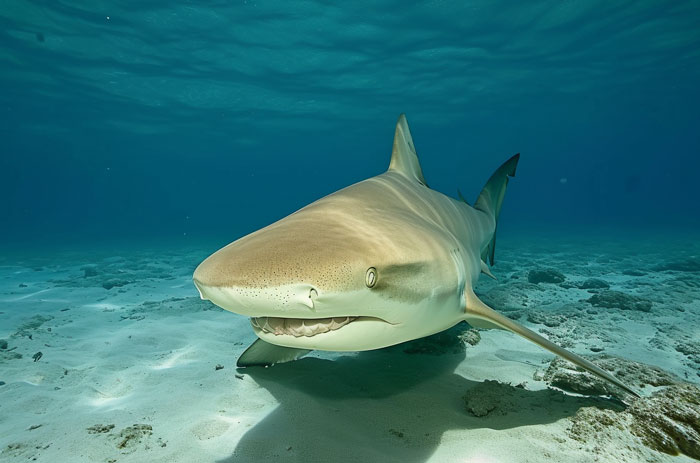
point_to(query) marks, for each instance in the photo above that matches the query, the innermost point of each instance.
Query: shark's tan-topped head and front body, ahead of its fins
(352, 271)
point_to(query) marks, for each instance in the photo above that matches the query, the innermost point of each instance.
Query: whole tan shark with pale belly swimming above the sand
(383, 261)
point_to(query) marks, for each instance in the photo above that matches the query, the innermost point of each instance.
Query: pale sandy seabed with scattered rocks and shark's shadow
(110, 356)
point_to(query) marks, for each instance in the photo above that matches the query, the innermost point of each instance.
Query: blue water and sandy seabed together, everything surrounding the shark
(139, 137)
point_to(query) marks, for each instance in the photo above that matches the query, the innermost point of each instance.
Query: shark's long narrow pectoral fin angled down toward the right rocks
(479, 314)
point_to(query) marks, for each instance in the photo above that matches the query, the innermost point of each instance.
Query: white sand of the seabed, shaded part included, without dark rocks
(113, 360)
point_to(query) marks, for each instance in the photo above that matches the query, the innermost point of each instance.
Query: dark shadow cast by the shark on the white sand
(384, 406)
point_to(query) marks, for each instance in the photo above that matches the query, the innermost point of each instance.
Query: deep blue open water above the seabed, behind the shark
(178, 120)
